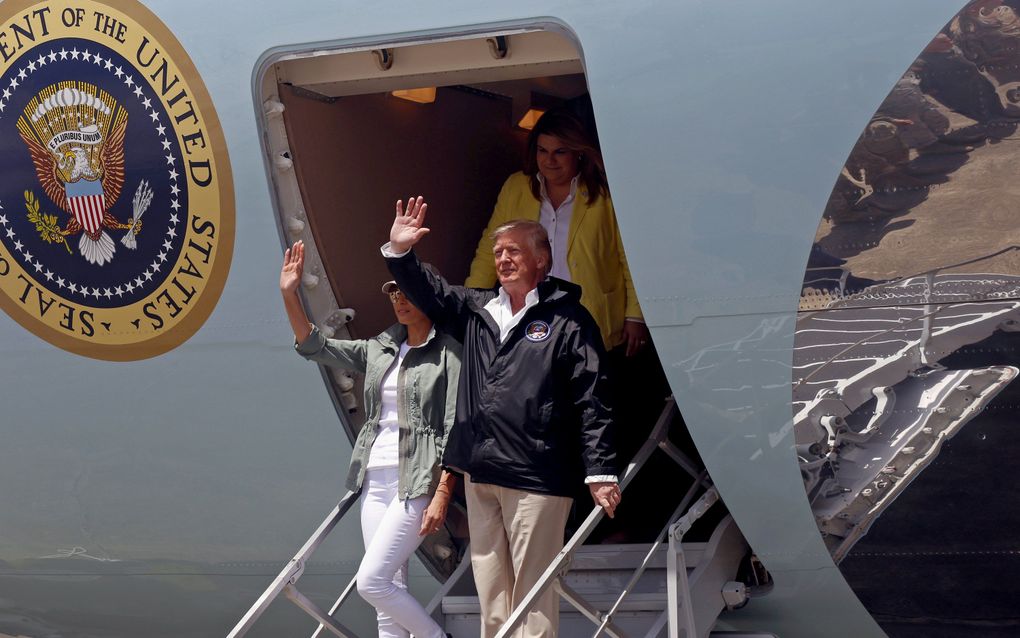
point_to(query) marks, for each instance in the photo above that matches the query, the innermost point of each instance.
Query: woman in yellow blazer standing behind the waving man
(564, 187)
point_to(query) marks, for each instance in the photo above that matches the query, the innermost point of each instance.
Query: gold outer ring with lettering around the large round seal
(182, 331)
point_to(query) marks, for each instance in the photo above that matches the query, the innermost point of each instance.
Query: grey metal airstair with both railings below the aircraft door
(669, 587)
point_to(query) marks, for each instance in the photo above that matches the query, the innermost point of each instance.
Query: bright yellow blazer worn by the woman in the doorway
(595, 255)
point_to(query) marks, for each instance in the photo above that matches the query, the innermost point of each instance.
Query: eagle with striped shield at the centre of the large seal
(76, 136)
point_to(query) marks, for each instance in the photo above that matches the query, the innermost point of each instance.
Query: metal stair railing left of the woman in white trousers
(287, 579)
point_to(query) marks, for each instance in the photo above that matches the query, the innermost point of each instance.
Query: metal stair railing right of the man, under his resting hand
(560, 566)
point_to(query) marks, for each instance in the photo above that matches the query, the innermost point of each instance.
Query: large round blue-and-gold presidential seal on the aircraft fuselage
(117, 208)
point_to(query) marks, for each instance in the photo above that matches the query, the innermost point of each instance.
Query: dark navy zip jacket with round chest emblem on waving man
(533, 412)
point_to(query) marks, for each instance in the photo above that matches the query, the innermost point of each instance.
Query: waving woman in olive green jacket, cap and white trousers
(412, 374)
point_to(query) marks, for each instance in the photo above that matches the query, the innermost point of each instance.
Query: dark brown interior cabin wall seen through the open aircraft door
(356, 156)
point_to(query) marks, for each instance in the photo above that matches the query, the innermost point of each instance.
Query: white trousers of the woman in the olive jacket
(390, 528)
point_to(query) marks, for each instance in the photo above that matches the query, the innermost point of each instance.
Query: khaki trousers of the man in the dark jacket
(515, 537)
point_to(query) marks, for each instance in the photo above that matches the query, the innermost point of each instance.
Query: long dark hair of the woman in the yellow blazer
(564, 125)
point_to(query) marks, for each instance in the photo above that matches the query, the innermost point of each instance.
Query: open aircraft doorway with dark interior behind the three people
(348, 131)
